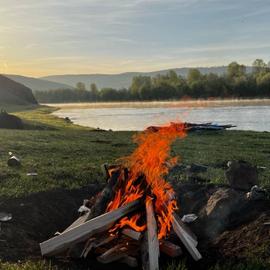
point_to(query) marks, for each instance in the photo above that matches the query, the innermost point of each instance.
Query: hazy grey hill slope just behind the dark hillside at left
(37, 84)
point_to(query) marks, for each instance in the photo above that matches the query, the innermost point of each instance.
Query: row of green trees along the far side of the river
(235, 83)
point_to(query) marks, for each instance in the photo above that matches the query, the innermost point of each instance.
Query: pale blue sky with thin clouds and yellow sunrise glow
(47, 37)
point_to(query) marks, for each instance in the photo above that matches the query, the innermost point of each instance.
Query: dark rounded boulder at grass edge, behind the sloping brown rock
(241, 175)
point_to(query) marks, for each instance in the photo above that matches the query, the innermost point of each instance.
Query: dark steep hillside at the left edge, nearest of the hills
(15, 93)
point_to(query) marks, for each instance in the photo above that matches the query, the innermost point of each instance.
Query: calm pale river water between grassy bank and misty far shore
(244, 117)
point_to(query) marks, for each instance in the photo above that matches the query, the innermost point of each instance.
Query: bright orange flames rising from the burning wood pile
(151, 161)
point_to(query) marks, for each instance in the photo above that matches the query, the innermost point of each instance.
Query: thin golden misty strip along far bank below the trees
(162, 104)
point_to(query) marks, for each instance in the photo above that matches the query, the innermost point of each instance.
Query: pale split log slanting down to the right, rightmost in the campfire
(185, 238)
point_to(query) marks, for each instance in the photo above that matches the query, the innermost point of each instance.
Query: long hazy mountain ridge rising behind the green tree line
(123, 80)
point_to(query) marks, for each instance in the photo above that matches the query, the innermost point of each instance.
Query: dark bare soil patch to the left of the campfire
(36, 218)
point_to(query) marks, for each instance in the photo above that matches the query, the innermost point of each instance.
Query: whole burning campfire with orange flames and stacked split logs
(132, 219)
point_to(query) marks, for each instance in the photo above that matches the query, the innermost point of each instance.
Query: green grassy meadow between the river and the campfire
(70, 156)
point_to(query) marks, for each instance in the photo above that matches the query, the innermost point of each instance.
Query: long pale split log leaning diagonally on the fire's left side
(84, 231)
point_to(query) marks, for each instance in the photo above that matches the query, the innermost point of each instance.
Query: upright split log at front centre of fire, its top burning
(152, 238)
